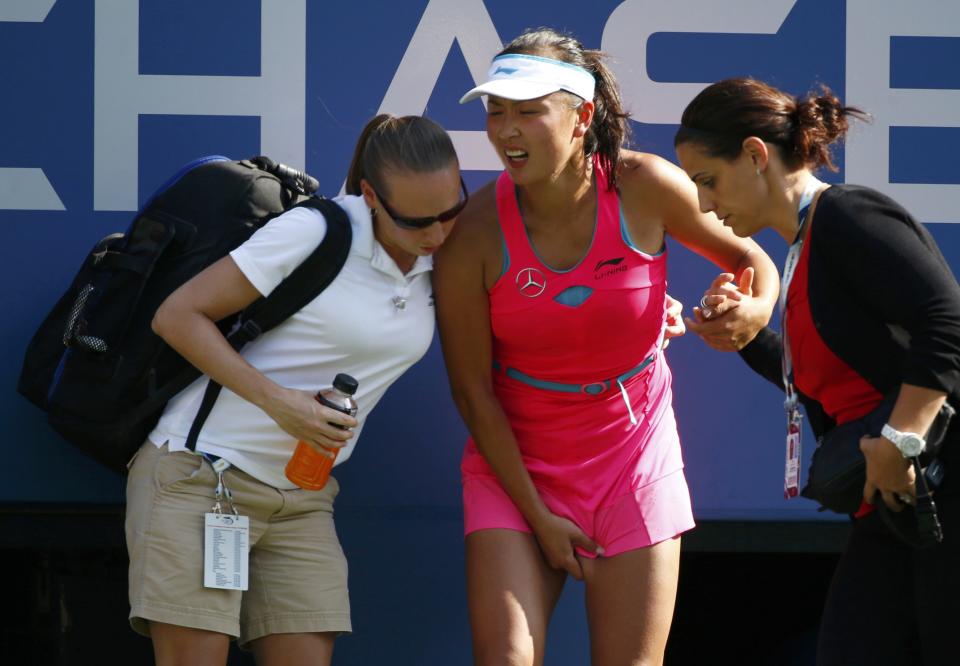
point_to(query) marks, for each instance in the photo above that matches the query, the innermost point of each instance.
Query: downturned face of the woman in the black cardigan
(731, 189)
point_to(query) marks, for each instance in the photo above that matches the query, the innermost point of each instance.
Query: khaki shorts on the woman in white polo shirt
(298, 573)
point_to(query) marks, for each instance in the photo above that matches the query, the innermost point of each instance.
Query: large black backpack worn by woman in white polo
(96, 367)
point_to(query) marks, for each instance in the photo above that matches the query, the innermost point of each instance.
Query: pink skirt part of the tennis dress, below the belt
(621, 483)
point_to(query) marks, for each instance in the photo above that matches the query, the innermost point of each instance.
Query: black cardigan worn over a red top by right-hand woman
(882, 298)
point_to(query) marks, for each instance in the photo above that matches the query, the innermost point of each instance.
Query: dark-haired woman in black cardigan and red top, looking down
(871, 309)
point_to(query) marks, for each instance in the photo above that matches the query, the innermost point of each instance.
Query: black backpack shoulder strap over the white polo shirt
(305, 283)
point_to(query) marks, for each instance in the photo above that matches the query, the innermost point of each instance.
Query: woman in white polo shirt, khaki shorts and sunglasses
(374, 321)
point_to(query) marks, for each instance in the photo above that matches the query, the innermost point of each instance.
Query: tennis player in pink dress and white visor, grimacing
(551, 299)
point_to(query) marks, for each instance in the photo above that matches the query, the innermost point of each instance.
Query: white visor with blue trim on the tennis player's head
(518, 77)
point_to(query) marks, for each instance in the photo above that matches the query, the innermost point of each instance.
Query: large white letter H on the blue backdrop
(121, 94)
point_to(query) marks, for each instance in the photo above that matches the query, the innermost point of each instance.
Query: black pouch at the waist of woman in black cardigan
(838, 469)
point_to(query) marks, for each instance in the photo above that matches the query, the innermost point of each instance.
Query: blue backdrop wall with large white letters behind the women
(103, 99)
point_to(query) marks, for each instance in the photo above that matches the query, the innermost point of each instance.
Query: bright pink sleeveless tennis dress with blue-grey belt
(579, 373)
